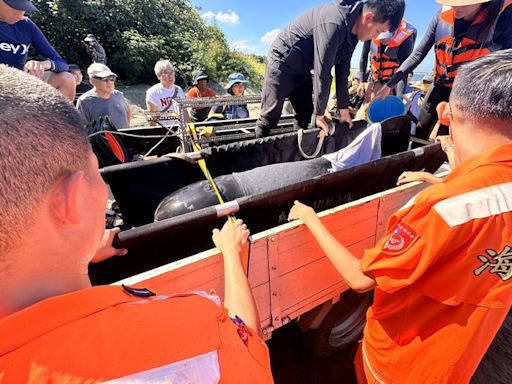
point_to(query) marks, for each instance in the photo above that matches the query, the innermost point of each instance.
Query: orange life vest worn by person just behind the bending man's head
(385, 64)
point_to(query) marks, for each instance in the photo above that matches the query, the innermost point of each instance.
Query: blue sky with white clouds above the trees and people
(250, 25)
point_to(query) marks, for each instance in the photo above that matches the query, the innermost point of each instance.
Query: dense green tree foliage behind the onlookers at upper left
(136, 33)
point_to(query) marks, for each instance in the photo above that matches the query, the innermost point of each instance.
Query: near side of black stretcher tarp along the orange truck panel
(162, 242)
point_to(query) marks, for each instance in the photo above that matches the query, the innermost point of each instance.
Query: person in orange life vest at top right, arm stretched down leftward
(462, 31)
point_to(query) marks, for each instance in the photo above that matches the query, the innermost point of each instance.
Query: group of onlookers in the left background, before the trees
(97, 97)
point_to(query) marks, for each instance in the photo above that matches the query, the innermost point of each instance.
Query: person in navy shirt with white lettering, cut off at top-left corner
(17, 34)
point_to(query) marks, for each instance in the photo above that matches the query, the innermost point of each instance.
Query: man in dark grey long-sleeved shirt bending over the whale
(321, 38)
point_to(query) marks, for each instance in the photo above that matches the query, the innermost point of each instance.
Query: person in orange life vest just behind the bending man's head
(386, 52)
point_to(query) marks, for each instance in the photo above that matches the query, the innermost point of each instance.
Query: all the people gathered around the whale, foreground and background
(440, 275)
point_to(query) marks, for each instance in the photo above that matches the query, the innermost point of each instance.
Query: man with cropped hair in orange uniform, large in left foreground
(55, 327)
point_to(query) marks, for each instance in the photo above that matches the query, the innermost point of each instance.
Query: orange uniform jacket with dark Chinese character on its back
(443, 274)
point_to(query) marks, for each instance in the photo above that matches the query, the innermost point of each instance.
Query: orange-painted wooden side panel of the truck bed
(304, 277)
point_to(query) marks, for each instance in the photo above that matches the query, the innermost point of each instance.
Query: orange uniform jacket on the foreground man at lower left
(105, 334)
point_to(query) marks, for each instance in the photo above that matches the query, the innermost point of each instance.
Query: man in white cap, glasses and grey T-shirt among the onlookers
(104, 100)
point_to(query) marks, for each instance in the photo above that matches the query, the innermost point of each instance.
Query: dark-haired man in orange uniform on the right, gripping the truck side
(442, 273)
